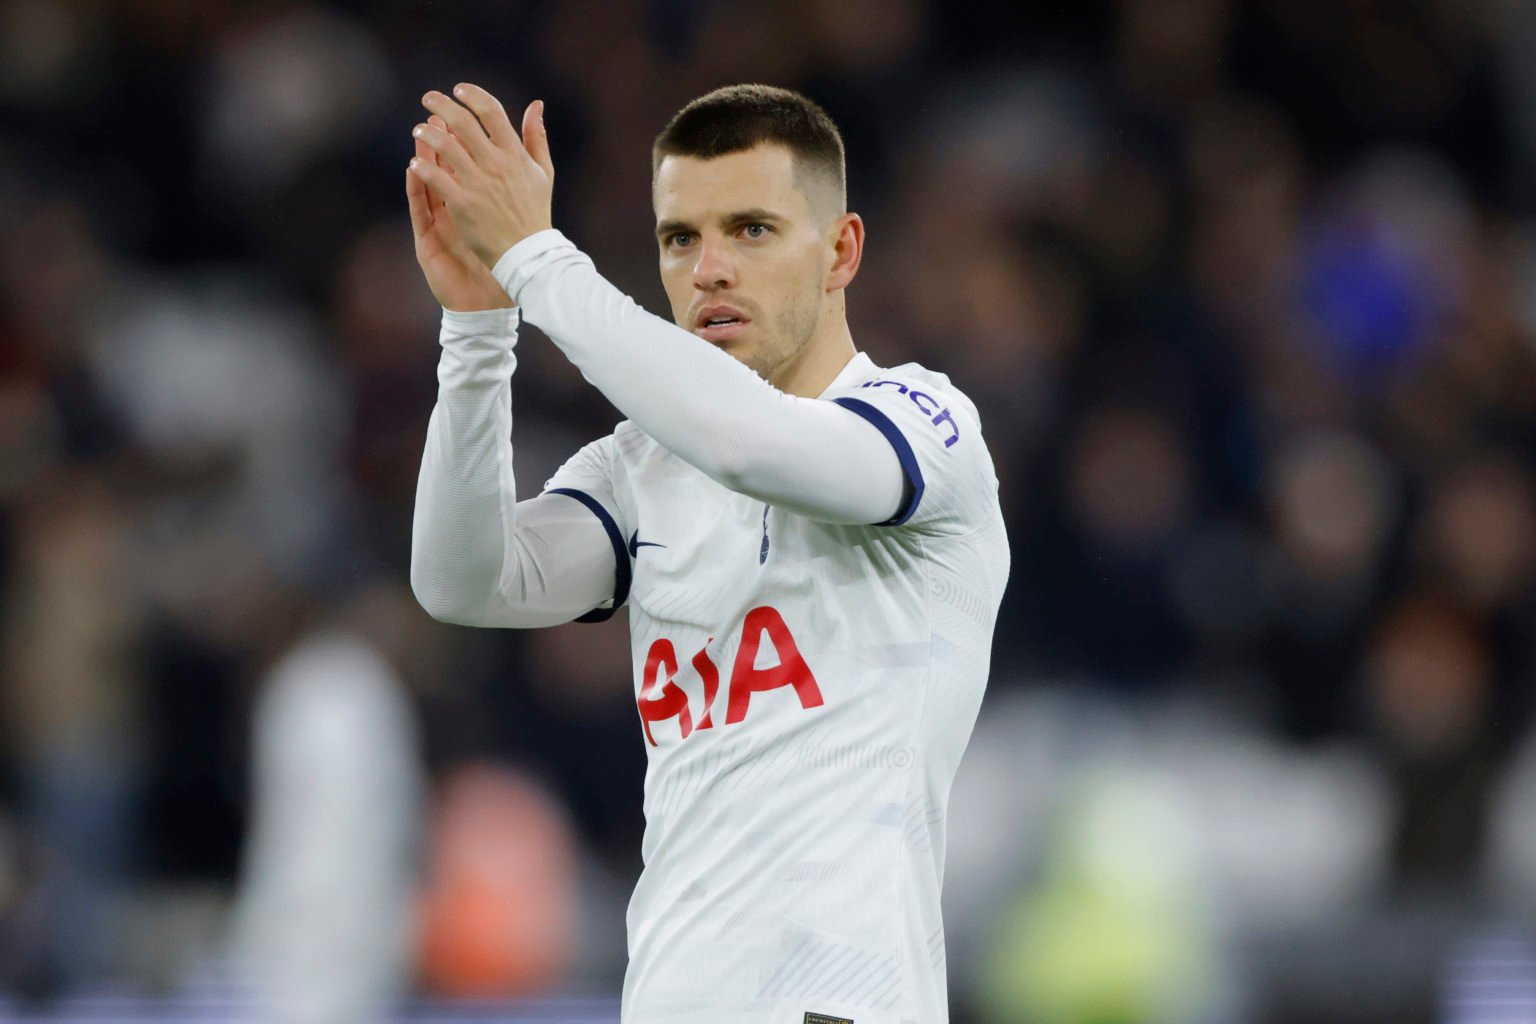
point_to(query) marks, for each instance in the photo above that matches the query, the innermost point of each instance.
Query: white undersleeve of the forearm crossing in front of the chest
(806, 455)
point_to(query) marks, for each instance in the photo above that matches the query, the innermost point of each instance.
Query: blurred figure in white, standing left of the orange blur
(325, 919)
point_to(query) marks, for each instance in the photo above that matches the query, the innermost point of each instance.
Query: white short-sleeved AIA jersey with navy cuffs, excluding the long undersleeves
(804, 693)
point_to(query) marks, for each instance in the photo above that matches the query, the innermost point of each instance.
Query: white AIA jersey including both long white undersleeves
(806, 682)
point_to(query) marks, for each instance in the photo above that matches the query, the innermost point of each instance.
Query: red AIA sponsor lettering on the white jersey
(663, 699)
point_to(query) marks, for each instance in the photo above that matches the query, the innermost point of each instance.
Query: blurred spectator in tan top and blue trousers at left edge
(74, 709)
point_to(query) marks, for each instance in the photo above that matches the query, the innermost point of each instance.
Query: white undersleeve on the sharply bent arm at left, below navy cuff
(478, 557)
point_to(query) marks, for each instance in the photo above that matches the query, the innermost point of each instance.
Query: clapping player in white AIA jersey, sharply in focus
(810, 549)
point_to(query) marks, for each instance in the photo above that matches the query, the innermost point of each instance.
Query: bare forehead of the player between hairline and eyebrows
(760, 177)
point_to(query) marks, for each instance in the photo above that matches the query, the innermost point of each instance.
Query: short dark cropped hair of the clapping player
(737, 119)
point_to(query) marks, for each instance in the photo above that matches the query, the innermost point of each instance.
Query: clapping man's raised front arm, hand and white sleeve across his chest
(815, 458)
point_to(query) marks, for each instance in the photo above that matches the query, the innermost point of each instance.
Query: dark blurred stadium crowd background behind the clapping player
(1242, 289)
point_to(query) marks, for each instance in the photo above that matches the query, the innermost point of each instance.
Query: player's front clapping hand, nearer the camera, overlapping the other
(495, 185)
